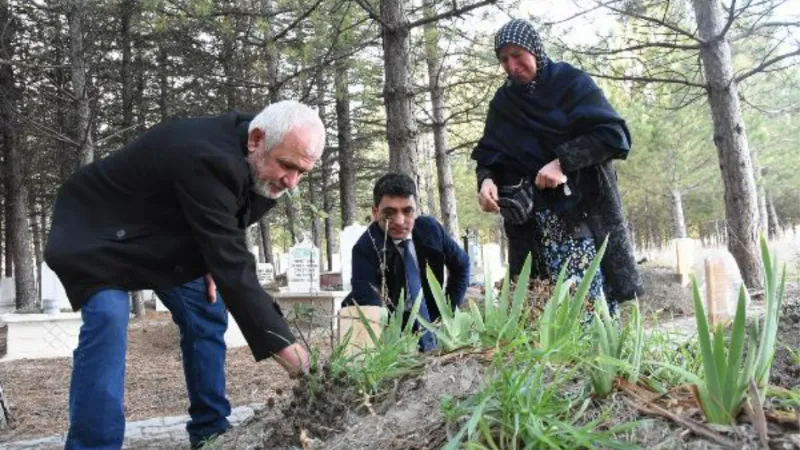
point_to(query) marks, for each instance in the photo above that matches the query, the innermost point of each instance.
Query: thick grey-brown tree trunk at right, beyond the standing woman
(730, 139)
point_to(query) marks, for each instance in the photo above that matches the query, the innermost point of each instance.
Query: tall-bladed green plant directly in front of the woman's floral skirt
(560, 322)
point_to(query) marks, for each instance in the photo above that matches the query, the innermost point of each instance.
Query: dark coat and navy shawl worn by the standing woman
(567, 117)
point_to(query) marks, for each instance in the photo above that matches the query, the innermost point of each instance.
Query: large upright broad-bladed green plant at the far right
(723, 388)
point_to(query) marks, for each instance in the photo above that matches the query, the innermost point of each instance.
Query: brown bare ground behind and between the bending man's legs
(38, 390)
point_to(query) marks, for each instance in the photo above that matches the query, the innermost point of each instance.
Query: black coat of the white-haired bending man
(169, 207)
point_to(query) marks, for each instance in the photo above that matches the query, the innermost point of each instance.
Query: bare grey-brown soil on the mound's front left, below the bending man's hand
(404, 419)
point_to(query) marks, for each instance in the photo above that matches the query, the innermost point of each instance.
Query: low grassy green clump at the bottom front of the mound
(527, 405)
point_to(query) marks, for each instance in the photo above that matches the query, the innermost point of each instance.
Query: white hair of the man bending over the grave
(278, 118)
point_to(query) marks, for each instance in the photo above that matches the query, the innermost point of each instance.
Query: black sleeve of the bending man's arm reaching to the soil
(206, 191)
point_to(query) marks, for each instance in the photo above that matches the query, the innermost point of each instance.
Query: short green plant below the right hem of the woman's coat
(611, 346)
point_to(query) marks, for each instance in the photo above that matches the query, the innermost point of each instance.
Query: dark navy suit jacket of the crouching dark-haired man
(434, 248)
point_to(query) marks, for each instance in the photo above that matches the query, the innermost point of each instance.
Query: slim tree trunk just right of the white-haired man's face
(347, 169)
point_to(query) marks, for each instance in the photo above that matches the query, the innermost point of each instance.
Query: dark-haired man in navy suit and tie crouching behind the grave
(408, 244)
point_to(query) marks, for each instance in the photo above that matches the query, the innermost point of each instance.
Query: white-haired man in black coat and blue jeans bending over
(168, 212)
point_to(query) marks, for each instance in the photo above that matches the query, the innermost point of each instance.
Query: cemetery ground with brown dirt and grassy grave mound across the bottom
(489, 389)
